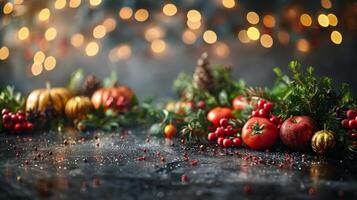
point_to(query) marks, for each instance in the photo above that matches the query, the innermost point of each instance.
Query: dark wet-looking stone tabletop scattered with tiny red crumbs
(126, 165)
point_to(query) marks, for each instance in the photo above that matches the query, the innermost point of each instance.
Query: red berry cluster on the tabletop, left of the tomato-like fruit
(225, 135)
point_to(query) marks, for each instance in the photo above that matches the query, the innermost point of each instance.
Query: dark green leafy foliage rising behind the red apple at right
(305, 94)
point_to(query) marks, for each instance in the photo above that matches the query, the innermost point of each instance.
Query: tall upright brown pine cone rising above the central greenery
(202, 78)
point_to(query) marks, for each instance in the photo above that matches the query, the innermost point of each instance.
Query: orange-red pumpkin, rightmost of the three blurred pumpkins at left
(117, 98)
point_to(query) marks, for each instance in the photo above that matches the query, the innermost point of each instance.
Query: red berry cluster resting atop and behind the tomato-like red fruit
(263, 110)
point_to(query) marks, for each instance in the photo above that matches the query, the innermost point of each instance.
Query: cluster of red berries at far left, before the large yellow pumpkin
(16, 122)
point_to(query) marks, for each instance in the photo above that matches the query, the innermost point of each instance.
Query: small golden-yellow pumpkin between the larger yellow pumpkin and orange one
(78, 107)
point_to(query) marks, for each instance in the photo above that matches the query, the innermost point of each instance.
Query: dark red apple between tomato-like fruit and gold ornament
(296, 132)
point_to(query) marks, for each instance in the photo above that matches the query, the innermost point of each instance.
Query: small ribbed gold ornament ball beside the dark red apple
(323, 141)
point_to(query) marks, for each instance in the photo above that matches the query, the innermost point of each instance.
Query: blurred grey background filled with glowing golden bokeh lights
(149, 42)
